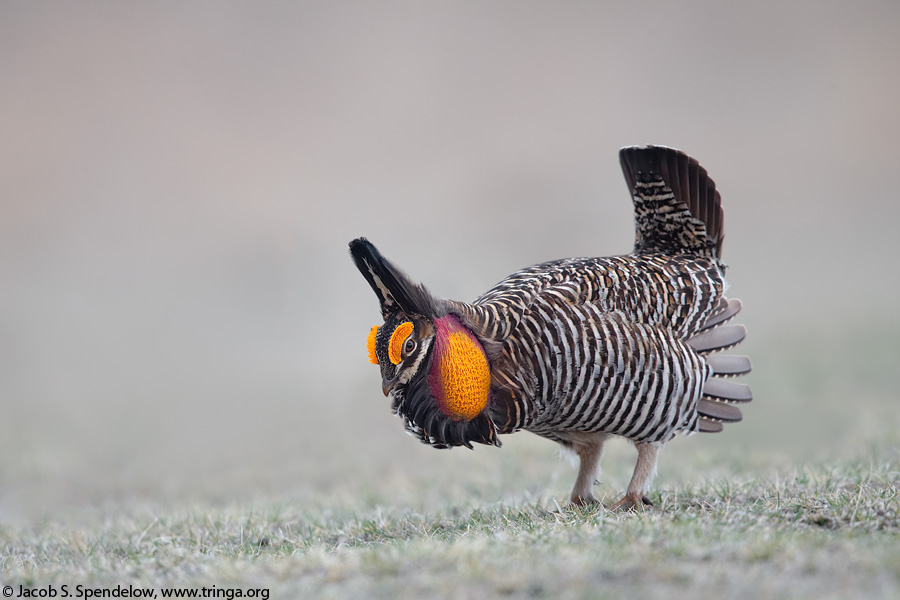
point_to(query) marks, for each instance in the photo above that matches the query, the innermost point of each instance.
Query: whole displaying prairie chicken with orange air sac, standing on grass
(580, 349)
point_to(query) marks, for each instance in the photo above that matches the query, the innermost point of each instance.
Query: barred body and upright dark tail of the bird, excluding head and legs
(605, 344)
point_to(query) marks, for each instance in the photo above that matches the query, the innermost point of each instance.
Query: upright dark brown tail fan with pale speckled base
(676, 206)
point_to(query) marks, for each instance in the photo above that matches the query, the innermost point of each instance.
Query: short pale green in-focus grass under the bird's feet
(824, 531)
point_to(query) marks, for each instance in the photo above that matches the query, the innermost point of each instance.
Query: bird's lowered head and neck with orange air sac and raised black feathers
(432, 366)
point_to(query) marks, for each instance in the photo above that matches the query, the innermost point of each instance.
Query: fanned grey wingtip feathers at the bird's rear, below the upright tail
(720, 395)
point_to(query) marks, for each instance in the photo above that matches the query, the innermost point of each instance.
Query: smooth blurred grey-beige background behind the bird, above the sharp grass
(180, 319)
